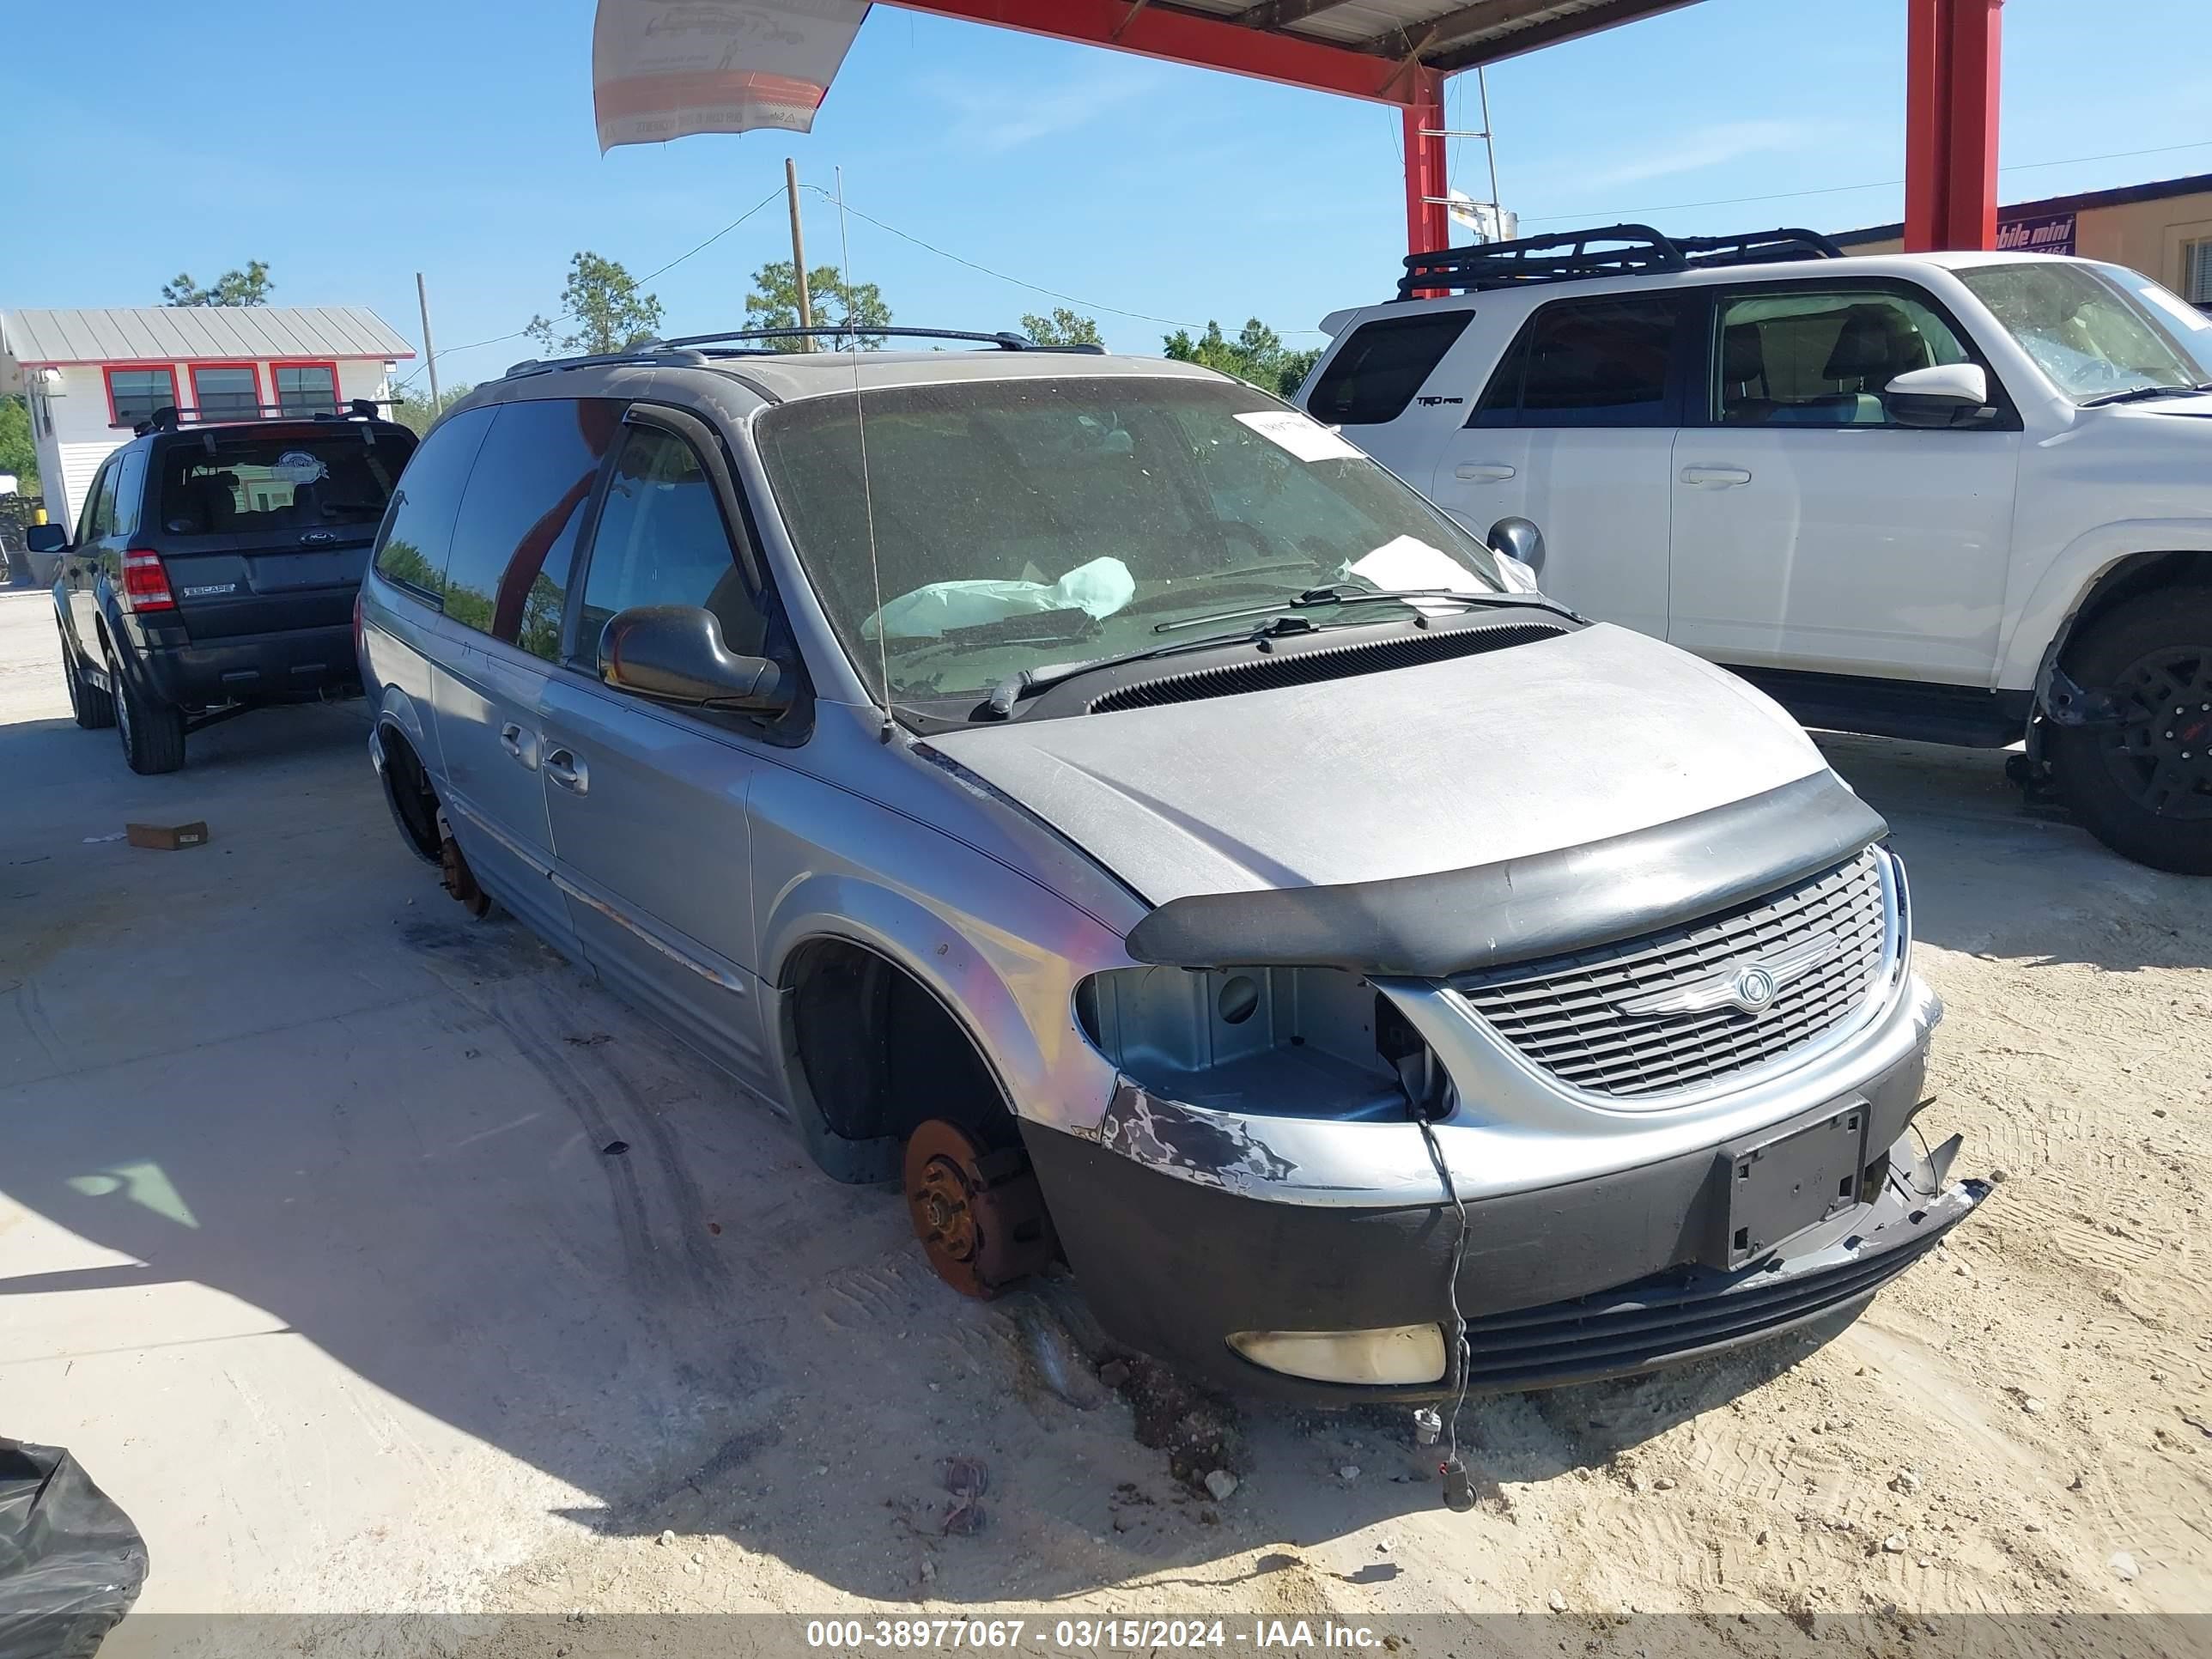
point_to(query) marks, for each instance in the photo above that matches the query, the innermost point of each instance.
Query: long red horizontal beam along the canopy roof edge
(1196, 39)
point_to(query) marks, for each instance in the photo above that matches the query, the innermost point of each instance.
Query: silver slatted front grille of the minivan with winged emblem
(1567, 1014)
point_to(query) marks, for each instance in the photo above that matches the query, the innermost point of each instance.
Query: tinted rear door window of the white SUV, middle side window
(1589, 364)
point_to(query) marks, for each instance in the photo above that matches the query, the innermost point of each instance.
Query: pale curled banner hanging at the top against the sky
(662, 70)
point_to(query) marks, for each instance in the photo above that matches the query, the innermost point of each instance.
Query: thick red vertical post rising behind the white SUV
(1952, 61)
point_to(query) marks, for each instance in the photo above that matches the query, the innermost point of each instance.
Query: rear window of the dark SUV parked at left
(280, 481)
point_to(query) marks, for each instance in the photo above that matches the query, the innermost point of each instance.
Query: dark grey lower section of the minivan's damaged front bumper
(1185, 1271)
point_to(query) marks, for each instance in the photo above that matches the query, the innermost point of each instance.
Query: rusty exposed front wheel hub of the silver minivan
(979, 1215)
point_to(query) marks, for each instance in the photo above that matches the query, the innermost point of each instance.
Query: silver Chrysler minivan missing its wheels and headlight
(1100, 800)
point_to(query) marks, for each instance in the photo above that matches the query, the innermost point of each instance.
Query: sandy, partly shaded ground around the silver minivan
(309, 1249)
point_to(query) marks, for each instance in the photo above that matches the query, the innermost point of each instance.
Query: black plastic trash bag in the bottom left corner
(70, 1561)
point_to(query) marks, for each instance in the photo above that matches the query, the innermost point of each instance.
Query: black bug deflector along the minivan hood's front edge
(1525, 908)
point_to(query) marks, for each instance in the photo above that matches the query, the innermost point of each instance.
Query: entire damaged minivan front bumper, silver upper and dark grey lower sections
(1594, 1251)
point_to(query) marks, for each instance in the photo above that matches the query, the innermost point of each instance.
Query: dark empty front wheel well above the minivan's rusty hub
(879, 1054)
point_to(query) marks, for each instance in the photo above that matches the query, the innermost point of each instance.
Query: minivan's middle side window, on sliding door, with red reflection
(521, 517)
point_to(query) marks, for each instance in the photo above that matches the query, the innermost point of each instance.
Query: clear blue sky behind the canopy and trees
(459, 140)
